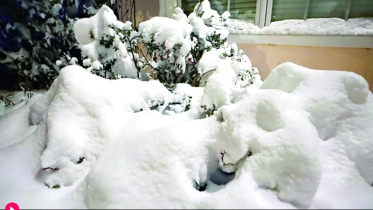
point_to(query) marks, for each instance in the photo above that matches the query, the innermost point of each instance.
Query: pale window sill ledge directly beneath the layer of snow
(304, 40)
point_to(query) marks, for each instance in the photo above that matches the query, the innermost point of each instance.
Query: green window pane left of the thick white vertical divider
(239, 9)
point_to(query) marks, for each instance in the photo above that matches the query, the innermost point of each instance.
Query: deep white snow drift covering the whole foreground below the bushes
(303, 138)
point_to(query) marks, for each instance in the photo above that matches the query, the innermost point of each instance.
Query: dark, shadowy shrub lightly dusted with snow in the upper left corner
(34, 34)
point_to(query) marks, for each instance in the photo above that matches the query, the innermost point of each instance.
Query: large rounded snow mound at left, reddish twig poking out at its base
(77, 118)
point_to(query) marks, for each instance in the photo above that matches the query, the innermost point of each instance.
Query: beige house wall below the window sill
(267, 57)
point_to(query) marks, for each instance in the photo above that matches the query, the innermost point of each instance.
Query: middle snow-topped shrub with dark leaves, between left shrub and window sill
(168, 42)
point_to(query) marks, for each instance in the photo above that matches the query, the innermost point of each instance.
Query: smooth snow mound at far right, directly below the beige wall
(340, 107)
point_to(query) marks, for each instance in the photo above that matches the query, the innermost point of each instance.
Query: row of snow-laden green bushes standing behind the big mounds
(170, 47)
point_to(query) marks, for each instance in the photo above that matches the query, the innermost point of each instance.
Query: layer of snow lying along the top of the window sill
(313, 26)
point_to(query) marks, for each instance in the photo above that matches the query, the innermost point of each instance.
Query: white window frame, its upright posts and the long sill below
(263, 18)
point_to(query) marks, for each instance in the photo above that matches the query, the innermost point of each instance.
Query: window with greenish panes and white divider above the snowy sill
(263, 12)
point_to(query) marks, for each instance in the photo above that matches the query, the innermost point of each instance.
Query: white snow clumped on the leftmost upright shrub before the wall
(89, 32)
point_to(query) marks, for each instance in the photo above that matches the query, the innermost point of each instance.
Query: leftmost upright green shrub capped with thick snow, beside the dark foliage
(103, 41)
